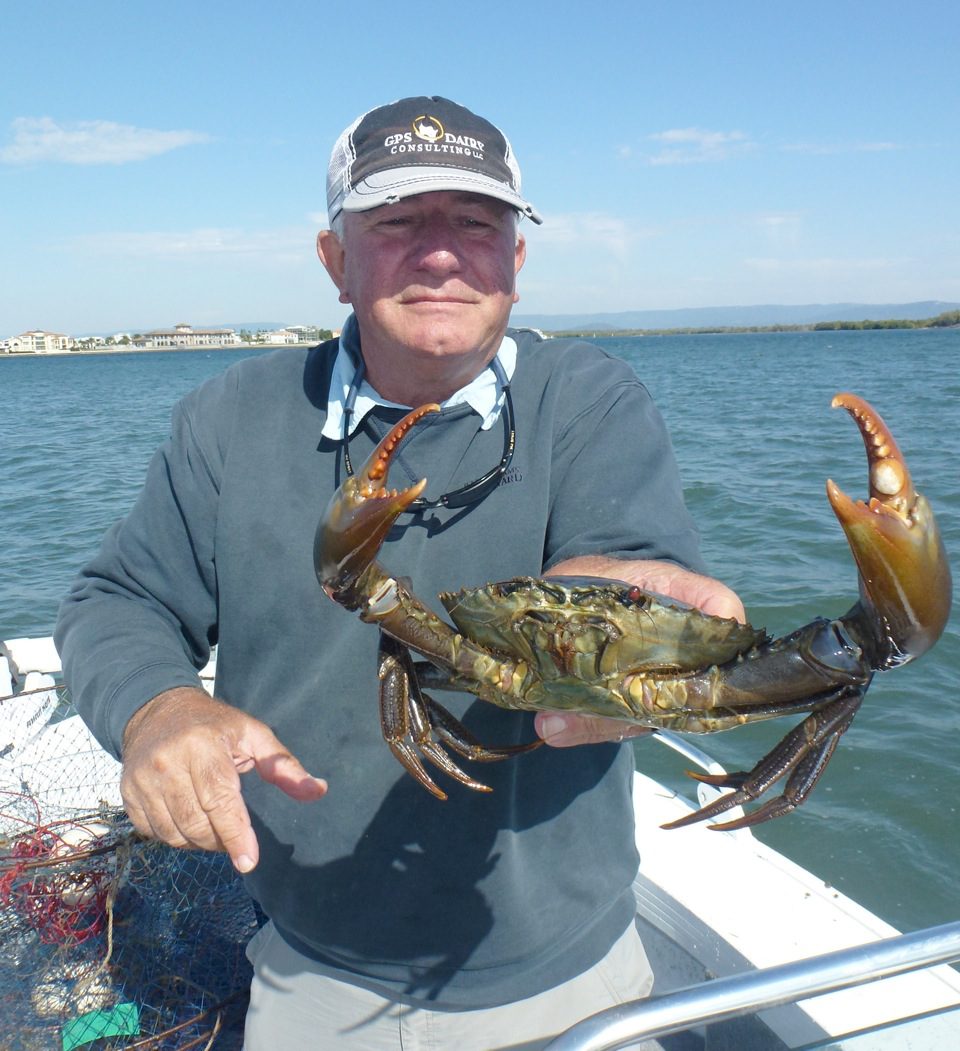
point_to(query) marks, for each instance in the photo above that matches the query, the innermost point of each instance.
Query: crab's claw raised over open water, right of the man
(905, 576)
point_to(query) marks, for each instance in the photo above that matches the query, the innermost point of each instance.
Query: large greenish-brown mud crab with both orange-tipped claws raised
(616, 650)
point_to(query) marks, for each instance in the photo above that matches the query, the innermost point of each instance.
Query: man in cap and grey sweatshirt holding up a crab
(487, 920)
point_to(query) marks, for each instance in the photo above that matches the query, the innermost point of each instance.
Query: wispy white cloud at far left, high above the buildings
(42, 139)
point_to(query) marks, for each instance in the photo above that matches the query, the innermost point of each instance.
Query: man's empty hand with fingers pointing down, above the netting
(183, 754)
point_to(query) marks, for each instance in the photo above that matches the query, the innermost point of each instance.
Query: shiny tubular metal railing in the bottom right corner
(728, 998)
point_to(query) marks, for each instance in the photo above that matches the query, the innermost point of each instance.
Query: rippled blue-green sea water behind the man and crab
(755, 439)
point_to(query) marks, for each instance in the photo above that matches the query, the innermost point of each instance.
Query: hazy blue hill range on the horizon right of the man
(734, 317)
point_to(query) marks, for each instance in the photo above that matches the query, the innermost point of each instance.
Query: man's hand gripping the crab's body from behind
(564, 730)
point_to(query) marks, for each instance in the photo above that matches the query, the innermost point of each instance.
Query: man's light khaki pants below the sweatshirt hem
(295, 1008)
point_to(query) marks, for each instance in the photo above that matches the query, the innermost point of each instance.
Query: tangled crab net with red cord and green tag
(108, 941)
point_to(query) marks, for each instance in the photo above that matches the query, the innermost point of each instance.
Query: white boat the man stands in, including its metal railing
(750, 951)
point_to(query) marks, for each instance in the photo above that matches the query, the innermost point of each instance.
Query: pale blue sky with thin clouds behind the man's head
(166, 162)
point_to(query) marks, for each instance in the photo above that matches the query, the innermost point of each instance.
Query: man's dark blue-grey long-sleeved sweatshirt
(481, 900)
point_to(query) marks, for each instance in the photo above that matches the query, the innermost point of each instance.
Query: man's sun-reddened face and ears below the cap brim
(434, 275)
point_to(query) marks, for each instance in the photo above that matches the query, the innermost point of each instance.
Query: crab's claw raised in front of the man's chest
(361, 513)
